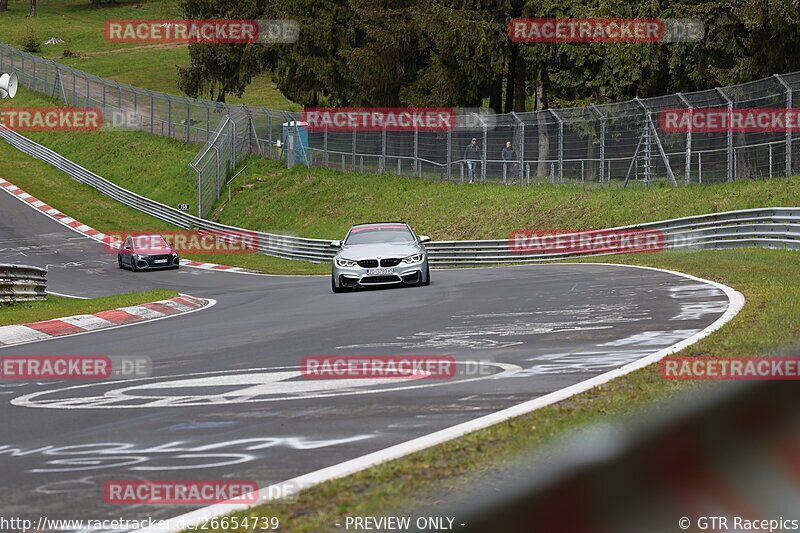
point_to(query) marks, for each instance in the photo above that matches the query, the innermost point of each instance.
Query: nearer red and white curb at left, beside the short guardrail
(114, 318)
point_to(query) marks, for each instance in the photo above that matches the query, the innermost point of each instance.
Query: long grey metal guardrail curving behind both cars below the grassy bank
(772, 227)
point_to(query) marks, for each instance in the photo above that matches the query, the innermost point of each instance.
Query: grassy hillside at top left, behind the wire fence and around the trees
(147, 66)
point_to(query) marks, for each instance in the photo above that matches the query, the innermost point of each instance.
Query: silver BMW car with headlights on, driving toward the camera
(383, 253)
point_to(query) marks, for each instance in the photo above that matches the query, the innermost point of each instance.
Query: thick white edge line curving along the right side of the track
(736, 301)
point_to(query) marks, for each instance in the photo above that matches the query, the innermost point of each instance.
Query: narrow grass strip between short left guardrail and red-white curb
(55, 306)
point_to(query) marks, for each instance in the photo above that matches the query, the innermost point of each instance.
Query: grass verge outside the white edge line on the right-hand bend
(769, 279)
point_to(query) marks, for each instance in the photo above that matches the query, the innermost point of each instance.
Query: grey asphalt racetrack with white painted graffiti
(225, 400)
